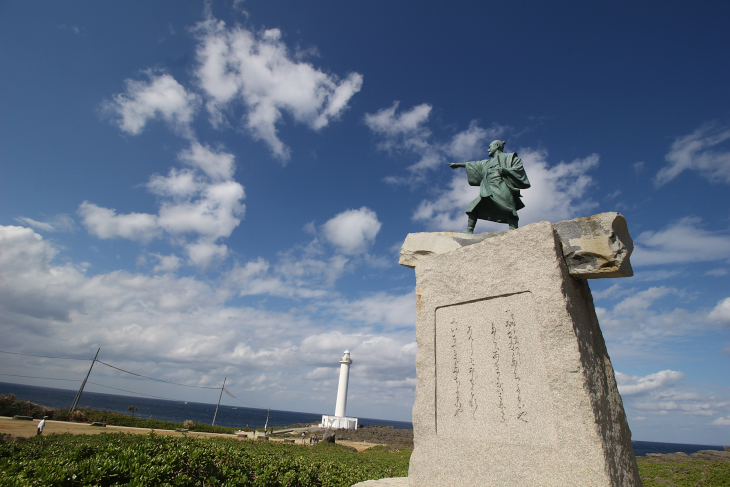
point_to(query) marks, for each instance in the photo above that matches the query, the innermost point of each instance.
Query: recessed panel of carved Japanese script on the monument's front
(490, 377)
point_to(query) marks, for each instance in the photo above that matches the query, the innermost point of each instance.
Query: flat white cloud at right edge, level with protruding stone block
(680, 242)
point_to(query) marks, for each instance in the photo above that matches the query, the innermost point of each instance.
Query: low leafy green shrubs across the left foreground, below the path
(122, 459)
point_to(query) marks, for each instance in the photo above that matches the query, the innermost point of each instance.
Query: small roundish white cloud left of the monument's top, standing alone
(352, 231)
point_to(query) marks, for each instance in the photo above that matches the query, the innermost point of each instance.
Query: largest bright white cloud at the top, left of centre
(237, 66)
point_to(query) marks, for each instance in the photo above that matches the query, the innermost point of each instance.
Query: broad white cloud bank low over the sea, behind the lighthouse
(185, 330)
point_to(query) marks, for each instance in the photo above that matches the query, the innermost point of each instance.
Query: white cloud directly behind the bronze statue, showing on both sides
(557, 193)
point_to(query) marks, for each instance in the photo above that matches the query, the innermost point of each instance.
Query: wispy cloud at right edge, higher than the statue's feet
(698, 151)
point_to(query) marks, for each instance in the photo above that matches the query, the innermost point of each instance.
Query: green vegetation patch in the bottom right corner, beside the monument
(684, 474)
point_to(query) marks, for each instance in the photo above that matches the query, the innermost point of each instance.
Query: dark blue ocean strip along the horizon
(238, 416)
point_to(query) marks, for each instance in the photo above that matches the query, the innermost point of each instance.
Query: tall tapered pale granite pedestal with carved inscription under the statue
(514, 384)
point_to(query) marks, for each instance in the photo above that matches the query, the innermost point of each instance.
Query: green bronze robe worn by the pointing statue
(499, 196)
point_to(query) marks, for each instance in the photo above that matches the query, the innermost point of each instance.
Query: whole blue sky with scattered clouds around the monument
(221, 189)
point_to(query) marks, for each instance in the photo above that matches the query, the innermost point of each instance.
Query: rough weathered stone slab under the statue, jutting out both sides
(594, 247)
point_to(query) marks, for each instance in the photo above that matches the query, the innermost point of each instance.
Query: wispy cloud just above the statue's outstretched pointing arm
(407, 132)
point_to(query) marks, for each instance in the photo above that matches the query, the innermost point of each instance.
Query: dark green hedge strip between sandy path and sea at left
(11, 406)
